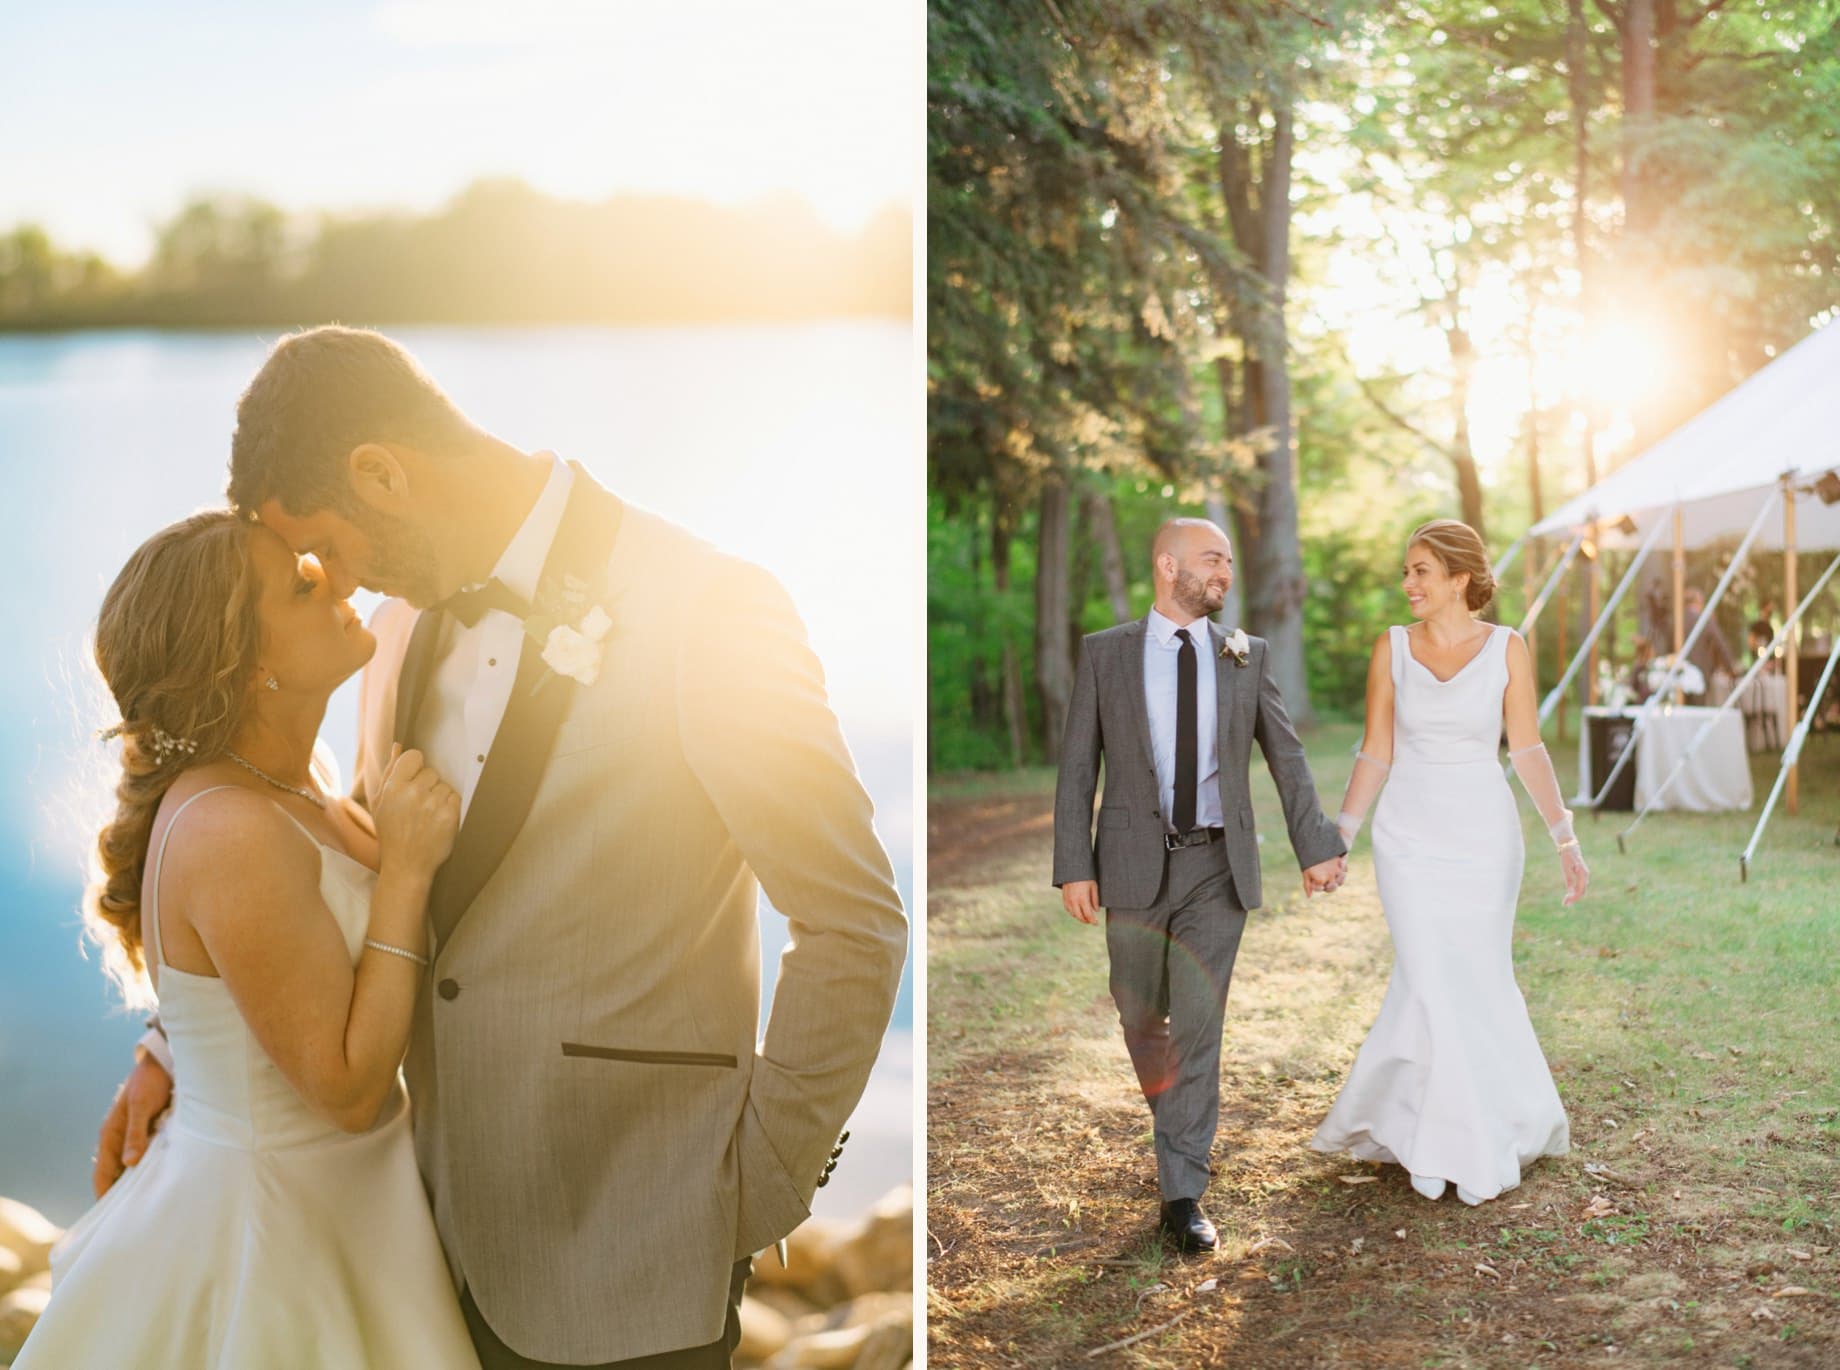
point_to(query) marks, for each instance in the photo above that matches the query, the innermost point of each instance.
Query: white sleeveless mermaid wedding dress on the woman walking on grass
(1451, 1082)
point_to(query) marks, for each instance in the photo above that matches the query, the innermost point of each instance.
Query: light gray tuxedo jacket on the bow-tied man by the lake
(599, 1134)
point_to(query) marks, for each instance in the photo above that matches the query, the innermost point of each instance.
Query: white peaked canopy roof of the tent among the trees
(1729, 459)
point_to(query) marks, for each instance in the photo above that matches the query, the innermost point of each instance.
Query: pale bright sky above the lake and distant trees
(117, 111)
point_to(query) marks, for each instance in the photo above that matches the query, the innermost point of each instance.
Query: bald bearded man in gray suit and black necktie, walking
(1175, 707)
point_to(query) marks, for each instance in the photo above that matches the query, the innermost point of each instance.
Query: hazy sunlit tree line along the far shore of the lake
(500, 253)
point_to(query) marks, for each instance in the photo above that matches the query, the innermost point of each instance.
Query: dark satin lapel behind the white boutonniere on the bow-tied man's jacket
(522, 748)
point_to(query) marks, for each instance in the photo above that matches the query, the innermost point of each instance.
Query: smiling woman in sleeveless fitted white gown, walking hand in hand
(1451, 1082)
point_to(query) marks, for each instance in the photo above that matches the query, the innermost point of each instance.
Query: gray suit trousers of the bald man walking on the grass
(1171, 968)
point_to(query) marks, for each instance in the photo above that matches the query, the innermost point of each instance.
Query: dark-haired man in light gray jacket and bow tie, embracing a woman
(639, 735)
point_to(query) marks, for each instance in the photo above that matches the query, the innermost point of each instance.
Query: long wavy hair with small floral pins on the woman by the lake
(176, 643)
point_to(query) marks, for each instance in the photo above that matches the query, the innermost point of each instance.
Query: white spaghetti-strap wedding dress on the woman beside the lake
(255, 1233)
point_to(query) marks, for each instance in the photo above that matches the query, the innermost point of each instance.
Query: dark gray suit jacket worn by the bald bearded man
(1109, 718)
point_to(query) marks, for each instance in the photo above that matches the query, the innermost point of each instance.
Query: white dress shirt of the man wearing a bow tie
(476, 667)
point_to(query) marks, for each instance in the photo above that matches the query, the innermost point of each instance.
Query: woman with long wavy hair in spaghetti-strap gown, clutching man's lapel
(279, 1216)
